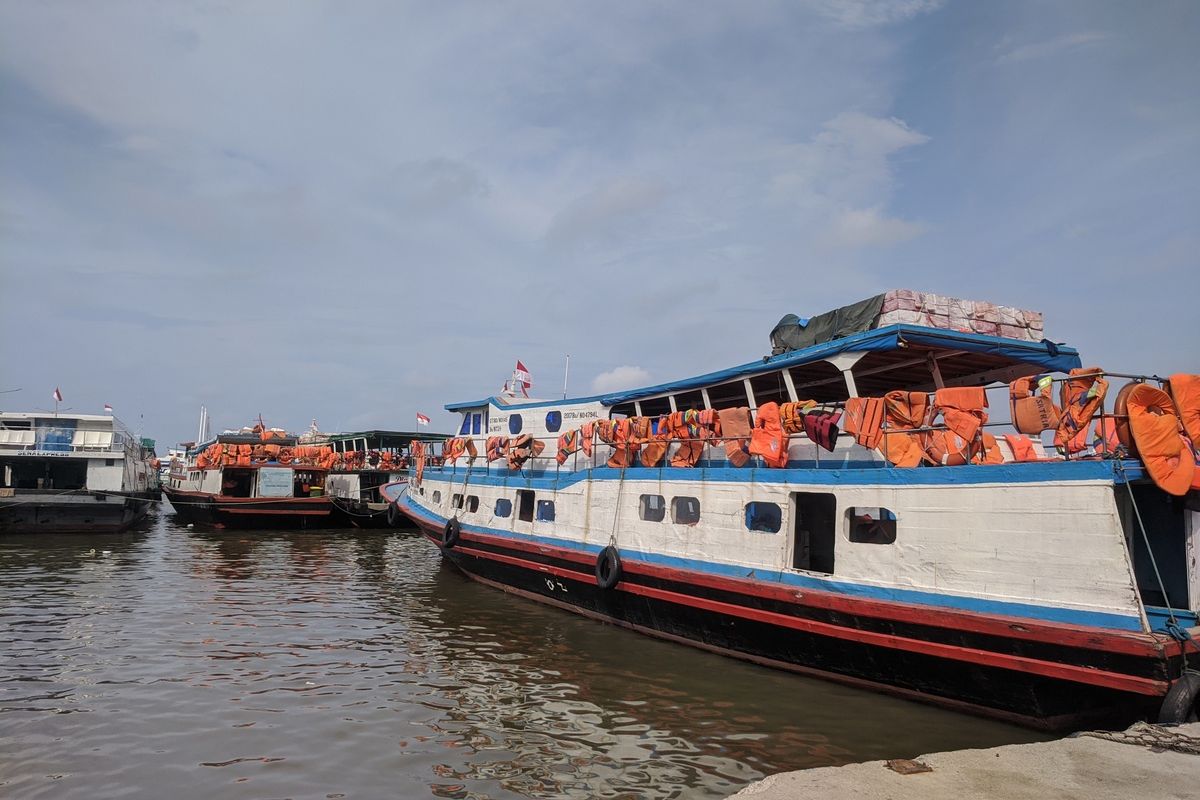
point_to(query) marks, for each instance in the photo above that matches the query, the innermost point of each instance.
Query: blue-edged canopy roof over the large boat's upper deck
(896, 357)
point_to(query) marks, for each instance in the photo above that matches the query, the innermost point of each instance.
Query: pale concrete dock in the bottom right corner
(1145, 762)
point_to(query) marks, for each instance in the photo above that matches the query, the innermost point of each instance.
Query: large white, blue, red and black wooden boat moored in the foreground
(844, 508)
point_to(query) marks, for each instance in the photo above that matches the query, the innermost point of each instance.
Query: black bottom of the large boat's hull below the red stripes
(1030, 700)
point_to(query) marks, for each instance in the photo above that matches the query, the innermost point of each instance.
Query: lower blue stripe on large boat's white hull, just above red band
(995, 607)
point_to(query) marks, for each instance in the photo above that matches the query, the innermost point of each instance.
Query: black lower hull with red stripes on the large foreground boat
(1045, 676)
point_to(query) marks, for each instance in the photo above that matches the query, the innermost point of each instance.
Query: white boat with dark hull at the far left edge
(73, 473)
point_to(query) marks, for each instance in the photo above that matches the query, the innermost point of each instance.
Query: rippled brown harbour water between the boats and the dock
(185, 664)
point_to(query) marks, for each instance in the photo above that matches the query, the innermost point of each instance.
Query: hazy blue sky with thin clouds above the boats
(353, 213)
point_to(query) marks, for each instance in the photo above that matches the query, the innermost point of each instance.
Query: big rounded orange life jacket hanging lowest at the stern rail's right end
(1163, 450)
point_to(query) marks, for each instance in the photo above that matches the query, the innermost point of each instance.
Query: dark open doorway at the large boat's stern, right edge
(1173, 531)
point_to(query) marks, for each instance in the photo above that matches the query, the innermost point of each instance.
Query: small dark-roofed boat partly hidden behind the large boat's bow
(364, 464)
